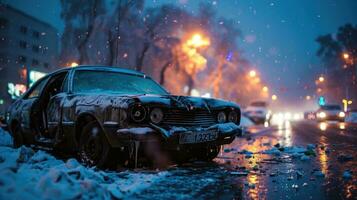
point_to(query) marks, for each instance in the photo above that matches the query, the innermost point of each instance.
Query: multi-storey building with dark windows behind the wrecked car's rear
(28, 50)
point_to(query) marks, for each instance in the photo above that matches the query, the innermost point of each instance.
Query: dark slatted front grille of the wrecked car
(202, 118)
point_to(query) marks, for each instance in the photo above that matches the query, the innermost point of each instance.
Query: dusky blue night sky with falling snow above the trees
(278, 36)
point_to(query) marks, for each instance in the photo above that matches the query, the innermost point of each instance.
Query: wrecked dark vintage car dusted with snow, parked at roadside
(108, 115)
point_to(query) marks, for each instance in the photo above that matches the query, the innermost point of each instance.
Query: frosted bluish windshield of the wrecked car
(86, 81)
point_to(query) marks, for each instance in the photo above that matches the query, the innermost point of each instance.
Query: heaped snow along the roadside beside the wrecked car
(29, 174)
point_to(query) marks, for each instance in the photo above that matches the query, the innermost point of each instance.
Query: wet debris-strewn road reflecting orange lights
(305, 160)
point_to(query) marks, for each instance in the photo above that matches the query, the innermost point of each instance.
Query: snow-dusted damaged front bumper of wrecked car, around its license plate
(170, 138)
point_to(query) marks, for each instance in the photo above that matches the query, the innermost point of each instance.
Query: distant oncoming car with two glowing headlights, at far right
(330, 112)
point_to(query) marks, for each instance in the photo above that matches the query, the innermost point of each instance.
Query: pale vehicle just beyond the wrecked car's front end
(258, 112)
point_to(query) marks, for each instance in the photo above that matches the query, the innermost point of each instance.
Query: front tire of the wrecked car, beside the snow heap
(94, 148)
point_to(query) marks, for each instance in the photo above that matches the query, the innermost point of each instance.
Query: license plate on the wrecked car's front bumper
(198, 136)
